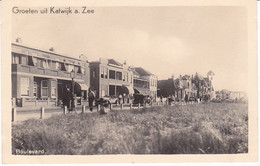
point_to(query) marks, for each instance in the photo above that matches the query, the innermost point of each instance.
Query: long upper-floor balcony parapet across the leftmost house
(44, 72)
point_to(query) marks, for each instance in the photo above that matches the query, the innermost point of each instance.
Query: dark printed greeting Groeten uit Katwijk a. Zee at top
(53, 10)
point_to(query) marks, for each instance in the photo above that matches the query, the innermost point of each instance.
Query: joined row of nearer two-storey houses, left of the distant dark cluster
(39, 77)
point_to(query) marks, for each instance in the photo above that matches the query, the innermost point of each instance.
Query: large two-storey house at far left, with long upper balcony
(39, 77)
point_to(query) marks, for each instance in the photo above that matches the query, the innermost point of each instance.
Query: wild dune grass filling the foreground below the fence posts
(212, 128)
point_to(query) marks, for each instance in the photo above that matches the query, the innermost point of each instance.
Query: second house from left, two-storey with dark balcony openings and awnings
(111, 78)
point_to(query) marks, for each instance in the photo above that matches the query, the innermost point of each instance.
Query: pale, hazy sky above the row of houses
(163, 40)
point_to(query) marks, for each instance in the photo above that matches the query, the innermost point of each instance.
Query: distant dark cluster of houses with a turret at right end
(192, 86)
